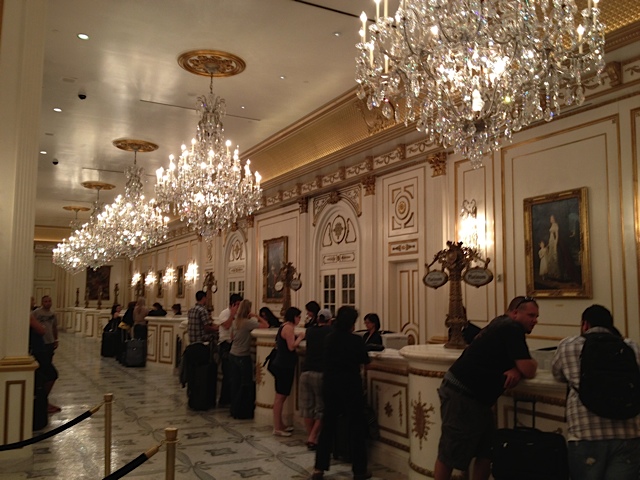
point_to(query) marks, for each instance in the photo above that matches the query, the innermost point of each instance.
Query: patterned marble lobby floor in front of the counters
(212, 445)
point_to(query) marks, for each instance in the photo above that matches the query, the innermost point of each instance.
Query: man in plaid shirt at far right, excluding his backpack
(599, 448)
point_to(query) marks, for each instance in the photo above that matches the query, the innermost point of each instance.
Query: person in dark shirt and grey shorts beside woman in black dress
(310, 386)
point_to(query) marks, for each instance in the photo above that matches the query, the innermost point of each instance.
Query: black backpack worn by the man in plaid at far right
(609, 377)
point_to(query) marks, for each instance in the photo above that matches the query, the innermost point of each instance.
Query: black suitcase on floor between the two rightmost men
(526, 453)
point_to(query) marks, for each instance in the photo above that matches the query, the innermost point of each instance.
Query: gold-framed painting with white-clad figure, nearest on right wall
(557, 245)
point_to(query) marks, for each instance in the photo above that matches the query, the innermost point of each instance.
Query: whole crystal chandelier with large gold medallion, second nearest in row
(207, 186)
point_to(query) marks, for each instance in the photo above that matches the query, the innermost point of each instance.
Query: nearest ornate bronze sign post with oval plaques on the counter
(457, 260)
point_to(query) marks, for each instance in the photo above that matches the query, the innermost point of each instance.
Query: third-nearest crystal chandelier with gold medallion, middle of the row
(131, 225)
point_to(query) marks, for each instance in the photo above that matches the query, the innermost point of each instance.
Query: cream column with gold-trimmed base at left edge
(22, 38)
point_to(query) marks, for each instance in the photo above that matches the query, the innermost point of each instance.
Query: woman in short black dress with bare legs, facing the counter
(284, 367)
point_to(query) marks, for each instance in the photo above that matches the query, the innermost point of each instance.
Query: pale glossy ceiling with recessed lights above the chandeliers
(135, 89)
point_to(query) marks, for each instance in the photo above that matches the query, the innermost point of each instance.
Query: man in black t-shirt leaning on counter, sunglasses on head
(497, 359)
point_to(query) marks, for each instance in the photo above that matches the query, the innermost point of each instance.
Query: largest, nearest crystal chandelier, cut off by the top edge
(472, 72)
